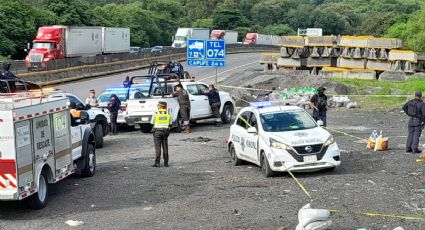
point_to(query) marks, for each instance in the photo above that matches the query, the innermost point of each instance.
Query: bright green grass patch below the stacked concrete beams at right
(384, 88)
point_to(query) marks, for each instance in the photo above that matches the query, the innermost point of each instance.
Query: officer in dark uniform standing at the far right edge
(415, 109)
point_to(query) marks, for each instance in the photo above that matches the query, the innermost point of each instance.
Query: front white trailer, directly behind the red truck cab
(83, 41)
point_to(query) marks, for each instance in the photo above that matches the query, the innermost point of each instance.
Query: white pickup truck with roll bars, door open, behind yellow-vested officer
(141, 111)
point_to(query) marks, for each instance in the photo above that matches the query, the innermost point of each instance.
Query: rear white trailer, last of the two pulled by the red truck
(115, 40)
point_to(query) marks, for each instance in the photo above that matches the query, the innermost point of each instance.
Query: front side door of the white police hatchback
(251, 139)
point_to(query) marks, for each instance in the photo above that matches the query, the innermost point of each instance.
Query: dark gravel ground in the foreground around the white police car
(202, 190)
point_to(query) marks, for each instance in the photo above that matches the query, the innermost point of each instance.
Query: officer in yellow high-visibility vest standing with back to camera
(161, 129)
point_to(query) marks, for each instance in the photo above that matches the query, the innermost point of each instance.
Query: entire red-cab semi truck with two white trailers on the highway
(58, 42)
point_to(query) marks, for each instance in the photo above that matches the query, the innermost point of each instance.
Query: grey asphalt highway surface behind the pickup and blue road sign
(234, 63)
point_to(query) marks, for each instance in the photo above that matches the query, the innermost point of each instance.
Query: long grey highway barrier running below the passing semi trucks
(19, 67)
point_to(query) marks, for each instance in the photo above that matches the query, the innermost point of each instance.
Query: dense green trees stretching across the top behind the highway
(153, 22)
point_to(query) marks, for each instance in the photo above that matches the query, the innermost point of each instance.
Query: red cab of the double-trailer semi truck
(48, 45)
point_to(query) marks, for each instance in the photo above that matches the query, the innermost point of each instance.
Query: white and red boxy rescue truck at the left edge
(41, 144)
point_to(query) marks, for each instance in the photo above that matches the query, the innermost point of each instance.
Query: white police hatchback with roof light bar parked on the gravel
(281, 138)
